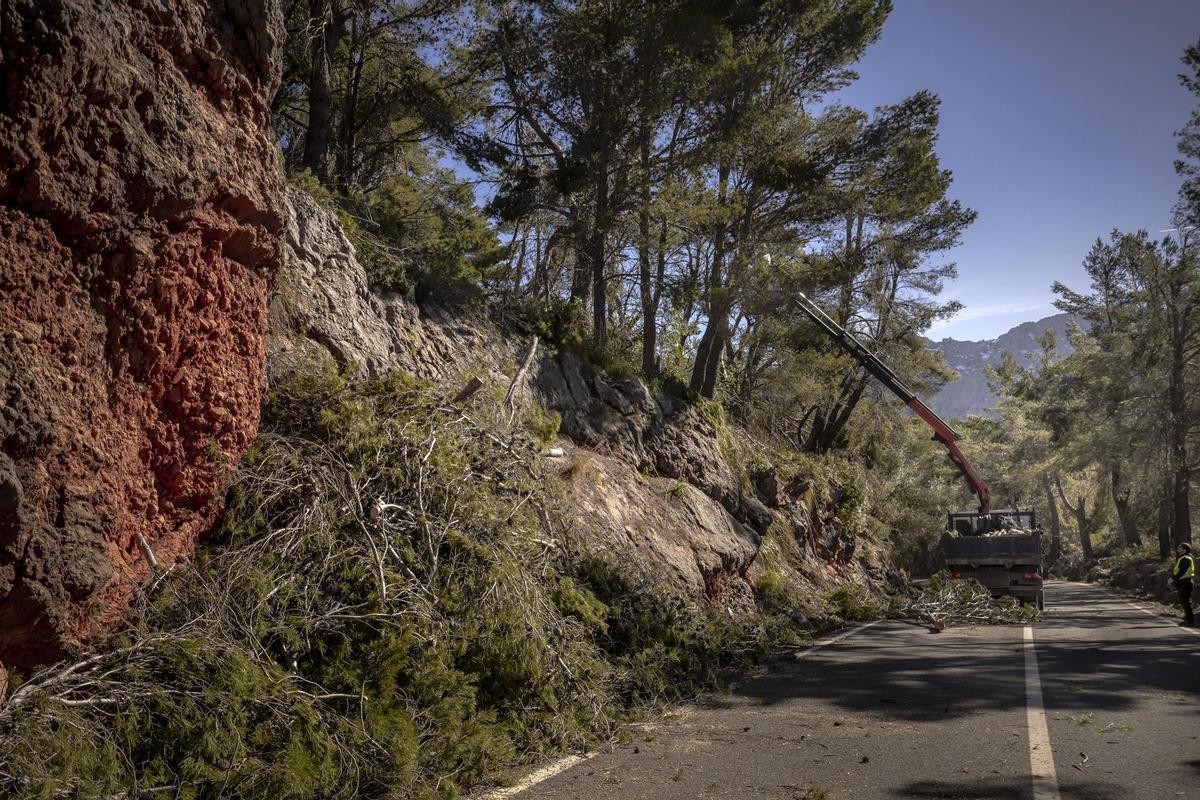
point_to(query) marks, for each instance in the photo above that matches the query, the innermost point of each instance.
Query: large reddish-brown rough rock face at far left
(140, 234)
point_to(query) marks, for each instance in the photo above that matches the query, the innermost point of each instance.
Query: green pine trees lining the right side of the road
(1111, 432)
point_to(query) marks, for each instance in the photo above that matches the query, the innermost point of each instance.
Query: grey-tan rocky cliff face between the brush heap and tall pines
(646, 474)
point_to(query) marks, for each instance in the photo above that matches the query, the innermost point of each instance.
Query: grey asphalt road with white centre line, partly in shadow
(896, 712)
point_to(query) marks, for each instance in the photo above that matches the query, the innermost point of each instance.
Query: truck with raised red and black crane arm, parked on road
(1001, 550)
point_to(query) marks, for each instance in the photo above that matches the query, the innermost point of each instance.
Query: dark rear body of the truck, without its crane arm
(1001, 550)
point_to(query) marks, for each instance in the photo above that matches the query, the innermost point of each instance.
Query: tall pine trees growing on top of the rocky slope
(669, 170)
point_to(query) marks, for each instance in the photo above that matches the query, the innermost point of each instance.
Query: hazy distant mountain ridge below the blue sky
(970, 395)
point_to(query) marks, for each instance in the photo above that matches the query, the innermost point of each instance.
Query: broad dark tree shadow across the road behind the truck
(1113, 655)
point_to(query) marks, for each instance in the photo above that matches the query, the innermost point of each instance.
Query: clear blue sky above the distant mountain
(1058, 122)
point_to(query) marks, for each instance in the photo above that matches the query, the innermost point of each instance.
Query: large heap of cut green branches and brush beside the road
(395, 606)
